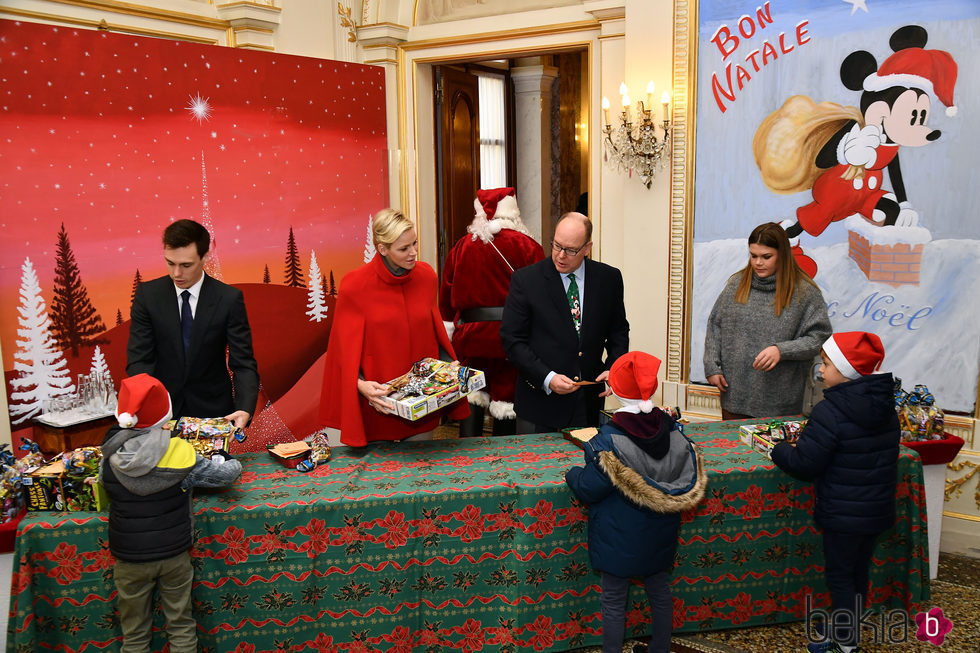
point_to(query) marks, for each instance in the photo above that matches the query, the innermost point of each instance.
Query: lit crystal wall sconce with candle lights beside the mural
(635, 146)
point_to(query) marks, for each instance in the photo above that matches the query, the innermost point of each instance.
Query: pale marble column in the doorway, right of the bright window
(532, 131)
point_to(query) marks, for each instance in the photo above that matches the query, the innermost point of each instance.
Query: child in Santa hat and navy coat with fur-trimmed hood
(640, 473)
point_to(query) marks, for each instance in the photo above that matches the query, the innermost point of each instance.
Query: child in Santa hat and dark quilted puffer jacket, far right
(849, 447)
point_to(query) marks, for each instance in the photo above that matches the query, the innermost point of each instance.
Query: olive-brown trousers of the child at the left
(135, 582)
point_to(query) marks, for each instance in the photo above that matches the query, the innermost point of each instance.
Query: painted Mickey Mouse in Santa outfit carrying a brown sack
(840, 152)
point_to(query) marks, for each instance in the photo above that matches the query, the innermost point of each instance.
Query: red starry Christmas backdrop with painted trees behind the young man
(106, 138)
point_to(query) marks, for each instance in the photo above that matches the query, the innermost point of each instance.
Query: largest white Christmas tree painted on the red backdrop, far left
(41, 372)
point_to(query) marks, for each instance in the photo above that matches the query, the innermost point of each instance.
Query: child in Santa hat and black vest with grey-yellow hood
(149, 477)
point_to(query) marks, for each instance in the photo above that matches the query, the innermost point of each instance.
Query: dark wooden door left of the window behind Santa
(457, 122)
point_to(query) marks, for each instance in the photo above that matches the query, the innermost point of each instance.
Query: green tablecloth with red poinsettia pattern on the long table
(473, 544)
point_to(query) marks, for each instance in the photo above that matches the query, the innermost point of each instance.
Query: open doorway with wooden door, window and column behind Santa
(490, 132)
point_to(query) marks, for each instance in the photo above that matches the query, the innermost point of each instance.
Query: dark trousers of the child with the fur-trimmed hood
(615, 590)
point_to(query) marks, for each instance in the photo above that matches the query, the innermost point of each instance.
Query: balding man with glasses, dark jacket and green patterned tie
(561, 315)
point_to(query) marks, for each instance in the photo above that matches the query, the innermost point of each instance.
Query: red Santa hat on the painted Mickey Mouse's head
(933, 71)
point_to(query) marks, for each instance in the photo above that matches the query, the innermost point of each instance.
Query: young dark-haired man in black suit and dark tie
(181, 326)
